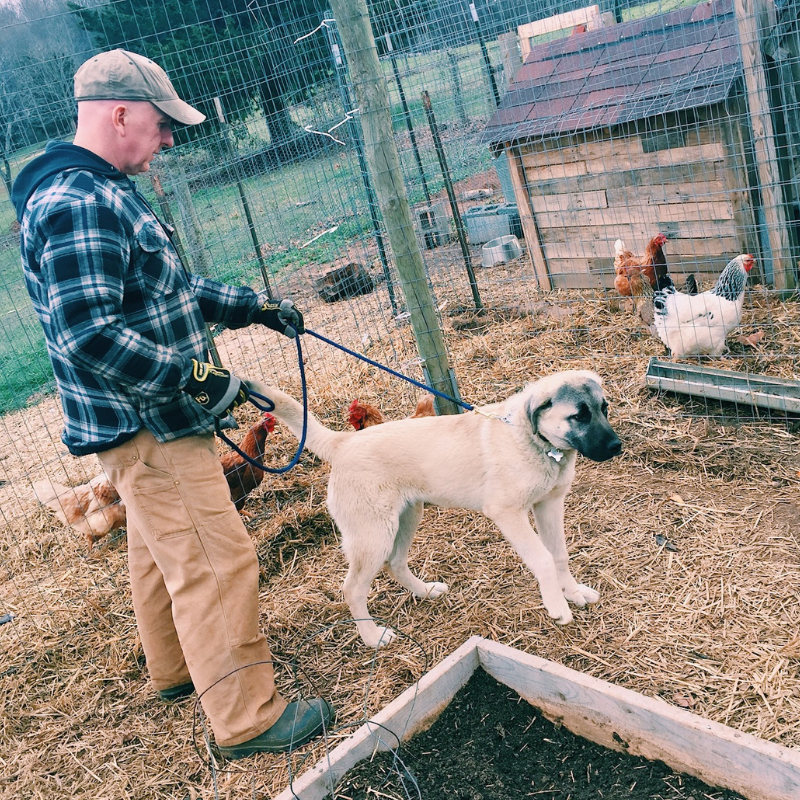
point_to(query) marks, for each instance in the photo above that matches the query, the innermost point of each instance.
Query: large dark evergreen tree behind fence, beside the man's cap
(242, 52)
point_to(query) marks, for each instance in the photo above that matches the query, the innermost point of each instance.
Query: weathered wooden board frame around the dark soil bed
(595, 709)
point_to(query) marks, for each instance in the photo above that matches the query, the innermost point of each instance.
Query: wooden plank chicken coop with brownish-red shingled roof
(631, 130)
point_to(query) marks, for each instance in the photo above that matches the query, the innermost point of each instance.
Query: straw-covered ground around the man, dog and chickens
(692, 537)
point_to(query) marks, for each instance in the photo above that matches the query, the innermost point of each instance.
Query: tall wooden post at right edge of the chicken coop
(751, 18)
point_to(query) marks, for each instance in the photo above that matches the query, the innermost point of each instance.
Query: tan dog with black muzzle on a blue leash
(510, 459)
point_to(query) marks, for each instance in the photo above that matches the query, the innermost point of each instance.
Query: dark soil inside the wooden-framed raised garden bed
(490, 744)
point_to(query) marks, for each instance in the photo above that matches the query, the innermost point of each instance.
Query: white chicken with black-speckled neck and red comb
(699, 324)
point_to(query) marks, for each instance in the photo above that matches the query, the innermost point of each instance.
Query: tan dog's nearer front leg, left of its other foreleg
(516, 527)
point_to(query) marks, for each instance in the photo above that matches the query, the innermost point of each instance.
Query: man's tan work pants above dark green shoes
(194, 580)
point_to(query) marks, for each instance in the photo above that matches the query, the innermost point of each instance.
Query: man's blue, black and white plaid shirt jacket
(121, 319)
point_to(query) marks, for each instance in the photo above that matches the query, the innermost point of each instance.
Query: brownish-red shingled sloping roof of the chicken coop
(671, 62)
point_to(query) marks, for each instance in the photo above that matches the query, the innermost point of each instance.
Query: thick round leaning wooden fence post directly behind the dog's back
(369, 84)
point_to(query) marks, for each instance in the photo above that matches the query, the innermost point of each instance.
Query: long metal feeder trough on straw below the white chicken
(743, 388)
